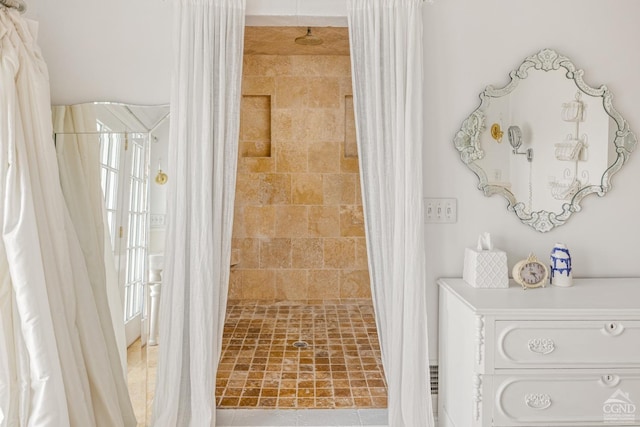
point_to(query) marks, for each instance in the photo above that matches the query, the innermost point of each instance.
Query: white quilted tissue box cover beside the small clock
(485, 268)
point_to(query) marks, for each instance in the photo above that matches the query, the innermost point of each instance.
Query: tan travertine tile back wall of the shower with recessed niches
(298, 227)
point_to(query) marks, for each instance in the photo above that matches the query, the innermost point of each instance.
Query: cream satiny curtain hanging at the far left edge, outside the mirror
(55, 366)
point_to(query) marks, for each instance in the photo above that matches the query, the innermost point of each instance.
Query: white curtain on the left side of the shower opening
(205, 111)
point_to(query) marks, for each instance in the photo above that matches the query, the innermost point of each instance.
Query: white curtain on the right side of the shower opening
(387, 63)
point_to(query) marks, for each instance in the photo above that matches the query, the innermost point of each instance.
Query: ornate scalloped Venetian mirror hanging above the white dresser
(545, 140)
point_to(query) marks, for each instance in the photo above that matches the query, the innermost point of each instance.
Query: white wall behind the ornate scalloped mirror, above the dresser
(470, 44)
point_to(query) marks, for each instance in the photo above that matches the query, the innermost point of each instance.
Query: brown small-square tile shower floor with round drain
(261, 367)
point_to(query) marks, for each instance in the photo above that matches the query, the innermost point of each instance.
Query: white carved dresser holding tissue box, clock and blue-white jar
(541, 357)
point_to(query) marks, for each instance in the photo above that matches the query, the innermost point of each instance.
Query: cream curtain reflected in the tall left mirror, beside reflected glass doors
(79, 164)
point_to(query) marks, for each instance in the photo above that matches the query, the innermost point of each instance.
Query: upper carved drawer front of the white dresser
(571, 344)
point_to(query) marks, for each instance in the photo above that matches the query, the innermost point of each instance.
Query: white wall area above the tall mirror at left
(97, 50)
